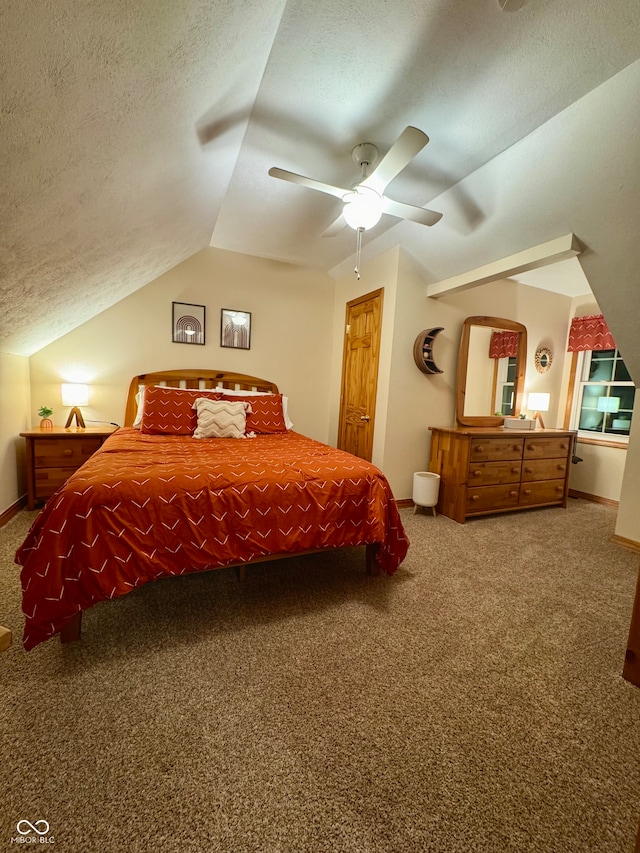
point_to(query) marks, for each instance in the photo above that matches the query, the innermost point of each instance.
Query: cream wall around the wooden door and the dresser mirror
(409, 402)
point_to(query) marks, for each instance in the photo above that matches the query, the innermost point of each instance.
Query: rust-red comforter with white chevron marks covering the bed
(148, 506)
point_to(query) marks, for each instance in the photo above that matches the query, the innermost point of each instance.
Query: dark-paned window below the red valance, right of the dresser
(604, 396)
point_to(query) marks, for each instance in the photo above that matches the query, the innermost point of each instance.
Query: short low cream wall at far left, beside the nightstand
(15, 404)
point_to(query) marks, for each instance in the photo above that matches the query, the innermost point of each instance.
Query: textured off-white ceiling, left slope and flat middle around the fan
(134, 135)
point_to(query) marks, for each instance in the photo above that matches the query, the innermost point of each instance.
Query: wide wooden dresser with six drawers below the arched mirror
(487, 470)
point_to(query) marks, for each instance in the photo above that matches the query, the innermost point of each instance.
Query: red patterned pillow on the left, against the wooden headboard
(169, 411)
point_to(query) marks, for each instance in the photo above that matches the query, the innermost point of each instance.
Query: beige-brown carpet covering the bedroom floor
(473, 702)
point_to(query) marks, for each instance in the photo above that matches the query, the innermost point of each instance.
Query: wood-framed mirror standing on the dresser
(486, 384)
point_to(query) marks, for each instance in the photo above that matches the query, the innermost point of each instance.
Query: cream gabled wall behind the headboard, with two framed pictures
(291, 312)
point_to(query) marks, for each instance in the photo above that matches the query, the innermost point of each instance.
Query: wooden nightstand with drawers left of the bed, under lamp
(54, 454)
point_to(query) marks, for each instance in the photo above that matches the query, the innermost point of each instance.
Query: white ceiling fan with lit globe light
(365, 202)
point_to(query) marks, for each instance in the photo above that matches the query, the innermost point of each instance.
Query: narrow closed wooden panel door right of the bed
(360, 374)
